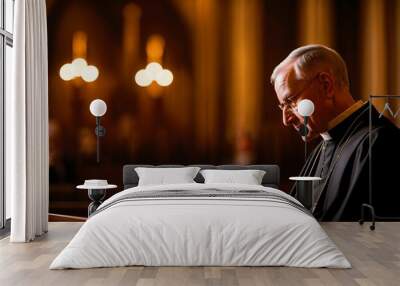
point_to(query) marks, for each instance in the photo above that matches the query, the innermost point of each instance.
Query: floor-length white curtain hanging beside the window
(27, 124)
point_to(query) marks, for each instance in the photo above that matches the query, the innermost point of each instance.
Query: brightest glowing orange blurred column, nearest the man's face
(246, 78)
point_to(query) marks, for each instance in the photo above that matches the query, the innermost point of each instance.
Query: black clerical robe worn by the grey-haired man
(342, 161)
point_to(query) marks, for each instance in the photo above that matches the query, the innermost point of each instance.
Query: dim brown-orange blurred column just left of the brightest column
(206, 76)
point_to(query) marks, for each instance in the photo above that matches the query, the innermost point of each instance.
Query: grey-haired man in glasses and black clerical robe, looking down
(343, 158)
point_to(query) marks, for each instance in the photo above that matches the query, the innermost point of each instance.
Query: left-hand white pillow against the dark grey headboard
(164, 176)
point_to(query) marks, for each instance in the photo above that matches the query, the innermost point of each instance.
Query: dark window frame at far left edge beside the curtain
(6, 39)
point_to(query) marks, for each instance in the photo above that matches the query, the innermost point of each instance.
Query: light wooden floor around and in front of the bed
(375, 257)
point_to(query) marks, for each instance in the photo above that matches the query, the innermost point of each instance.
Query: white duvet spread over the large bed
(206, 231)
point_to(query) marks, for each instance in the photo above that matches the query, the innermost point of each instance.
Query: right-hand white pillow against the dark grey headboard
(248, 177)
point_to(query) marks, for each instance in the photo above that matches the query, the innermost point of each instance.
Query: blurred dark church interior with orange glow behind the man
(220, 107)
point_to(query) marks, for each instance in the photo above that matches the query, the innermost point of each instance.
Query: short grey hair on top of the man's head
(308, 60)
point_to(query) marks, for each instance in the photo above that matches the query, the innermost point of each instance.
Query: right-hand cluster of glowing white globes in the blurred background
(154, 72)
